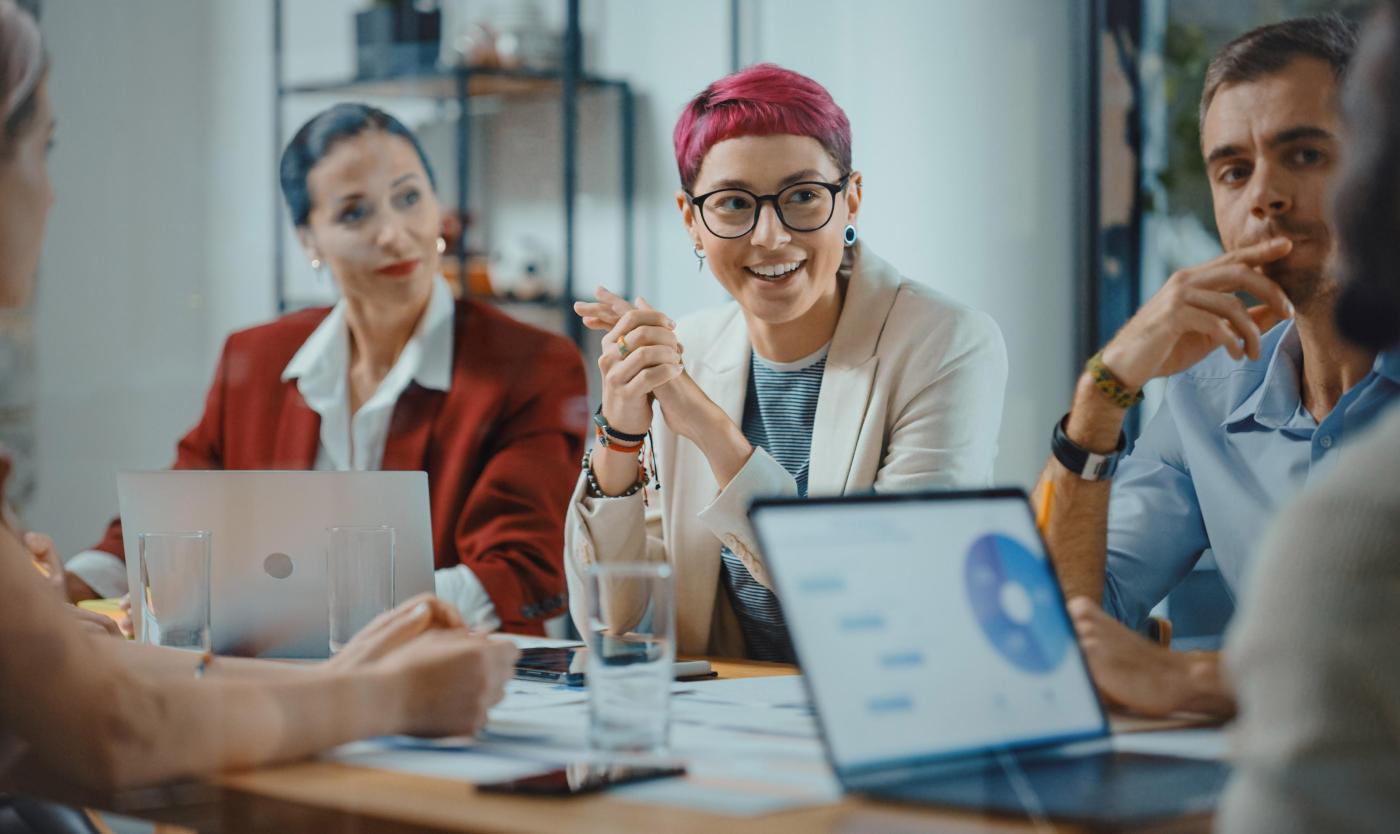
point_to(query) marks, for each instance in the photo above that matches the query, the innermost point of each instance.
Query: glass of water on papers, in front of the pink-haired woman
(632, 653)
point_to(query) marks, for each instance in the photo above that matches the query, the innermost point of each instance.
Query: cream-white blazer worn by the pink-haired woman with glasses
(911, 400)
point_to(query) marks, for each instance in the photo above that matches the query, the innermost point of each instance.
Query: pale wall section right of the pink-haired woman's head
(964, 128)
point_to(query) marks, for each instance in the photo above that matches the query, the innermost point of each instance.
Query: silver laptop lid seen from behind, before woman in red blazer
(258, 605)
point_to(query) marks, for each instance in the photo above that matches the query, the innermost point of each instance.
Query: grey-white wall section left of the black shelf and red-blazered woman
(124, 306)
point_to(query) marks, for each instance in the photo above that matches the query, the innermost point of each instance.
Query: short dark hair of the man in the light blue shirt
(1269, 50)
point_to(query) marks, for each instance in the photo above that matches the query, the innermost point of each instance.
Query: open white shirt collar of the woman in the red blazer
(320, 366)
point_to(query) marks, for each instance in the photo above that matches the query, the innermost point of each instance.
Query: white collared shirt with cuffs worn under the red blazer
(353, 443)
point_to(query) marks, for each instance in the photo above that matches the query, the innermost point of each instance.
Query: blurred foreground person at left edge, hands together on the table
(106, 713)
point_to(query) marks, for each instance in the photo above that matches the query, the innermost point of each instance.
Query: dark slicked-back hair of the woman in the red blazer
(320, 135)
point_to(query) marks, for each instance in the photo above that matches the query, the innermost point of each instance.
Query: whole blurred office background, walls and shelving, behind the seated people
(1032, 159)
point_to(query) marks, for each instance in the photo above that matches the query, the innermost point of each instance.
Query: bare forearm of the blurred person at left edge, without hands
(108, 714)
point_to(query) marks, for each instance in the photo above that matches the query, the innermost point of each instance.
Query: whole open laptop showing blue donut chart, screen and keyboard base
(943, 665)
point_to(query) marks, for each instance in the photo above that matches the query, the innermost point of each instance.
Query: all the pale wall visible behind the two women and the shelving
(163, 237)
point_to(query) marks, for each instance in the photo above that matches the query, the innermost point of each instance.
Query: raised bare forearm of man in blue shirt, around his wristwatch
(1077, 525)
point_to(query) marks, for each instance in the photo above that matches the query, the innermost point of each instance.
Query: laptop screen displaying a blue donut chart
(927, 626)
